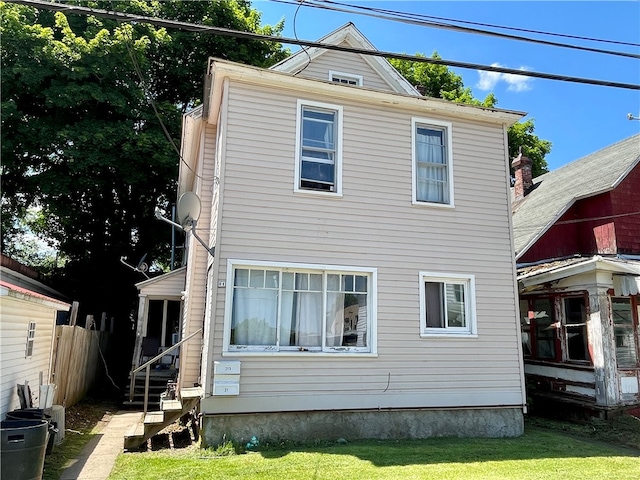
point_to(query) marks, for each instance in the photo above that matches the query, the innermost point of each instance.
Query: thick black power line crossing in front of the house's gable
(191, 27)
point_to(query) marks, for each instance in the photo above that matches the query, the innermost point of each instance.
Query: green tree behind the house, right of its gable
(438, 81)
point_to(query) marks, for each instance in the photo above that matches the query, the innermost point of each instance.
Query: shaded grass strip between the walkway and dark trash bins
(82, 422)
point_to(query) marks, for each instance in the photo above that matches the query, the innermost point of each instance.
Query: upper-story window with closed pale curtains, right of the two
(432, 164)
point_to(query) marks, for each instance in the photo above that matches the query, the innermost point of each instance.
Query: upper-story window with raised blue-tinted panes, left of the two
(319, 148)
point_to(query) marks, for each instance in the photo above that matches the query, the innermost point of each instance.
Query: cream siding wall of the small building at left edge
(15, 315)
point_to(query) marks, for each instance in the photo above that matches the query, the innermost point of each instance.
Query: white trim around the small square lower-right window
(469, 282)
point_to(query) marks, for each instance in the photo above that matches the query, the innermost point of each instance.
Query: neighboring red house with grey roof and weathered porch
(577, 243)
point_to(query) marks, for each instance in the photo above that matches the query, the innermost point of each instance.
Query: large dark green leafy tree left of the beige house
(81, 142)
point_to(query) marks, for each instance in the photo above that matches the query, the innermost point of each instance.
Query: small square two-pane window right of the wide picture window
(447, 304)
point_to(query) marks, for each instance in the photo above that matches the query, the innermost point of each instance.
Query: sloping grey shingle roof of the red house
(555, 192)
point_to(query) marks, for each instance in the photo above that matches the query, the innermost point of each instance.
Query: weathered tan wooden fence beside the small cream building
(77, 362)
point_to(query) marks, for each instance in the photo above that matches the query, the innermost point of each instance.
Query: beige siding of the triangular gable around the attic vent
(350, 63)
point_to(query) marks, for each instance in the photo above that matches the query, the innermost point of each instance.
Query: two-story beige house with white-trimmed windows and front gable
(361, 278)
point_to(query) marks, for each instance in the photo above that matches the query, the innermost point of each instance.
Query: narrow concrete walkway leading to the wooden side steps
(96, 460)
